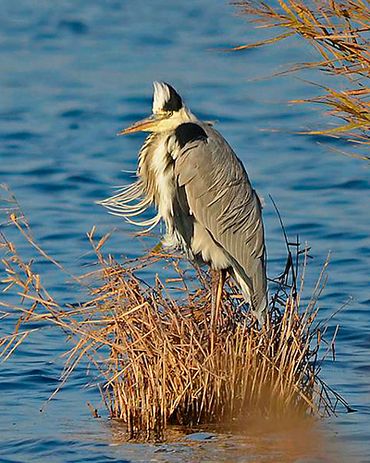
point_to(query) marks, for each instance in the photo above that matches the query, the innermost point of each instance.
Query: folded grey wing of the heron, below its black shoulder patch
(221, 198)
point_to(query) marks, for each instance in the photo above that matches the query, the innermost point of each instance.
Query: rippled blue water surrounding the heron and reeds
(73, 73)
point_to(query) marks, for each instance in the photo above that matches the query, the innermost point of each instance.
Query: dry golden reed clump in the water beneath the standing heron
(158, 358)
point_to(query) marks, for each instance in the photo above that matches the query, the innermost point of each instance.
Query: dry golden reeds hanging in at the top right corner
(338, 30)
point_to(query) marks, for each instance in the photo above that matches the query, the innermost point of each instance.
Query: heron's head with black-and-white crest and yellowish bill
(168, 112)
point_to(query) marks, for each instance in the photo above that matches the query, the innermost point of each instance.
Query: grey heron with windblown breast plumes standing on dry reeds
(201, 191)
